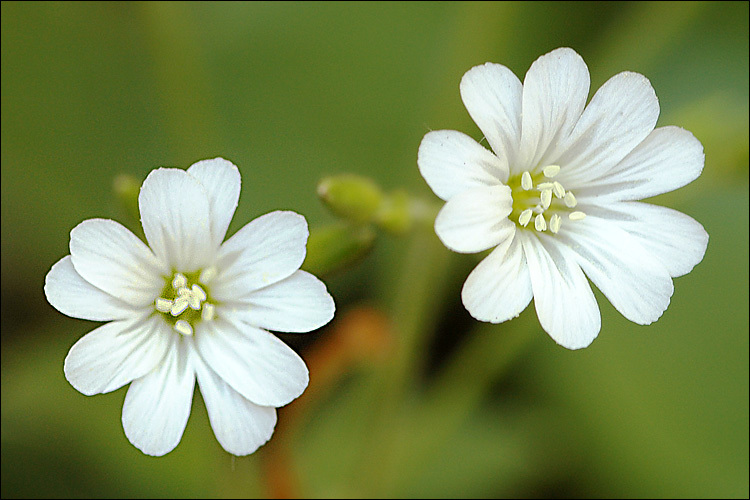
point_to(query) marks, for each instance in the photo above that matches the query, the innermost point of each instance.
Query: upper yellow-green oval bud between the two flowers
(351, 196)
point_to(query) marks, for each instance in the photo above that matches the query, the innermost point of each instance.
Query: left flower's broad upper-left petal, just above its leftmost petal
(110, 257)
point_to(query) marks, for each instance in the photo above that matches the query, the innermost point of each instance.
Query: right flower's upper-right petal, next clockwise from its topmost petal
(621, 114)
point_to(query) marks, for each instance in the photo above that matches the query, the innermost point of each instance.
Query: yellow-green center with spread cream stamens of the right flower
(540, 198)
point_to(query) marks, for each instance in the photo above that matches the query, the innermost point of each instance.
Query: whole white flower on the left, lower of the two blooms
(191, 307)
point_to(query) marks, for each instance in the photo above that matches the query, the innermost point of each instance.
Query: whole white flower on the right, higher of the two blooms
(557, 198)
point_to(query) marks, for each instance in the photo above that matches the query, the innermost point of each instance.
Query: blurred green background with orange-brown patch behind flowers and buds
(292, 92)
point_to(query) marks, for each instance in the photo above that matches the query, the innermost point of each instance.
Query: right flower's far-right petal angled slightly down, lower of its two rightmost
(678, 241)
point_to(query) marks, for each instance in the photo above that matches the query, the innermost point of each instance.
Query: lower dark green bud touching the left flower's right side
(336, 246)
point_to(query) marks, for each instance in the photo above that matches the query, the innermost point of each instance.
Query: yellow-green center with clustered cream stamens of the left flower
(184, 302)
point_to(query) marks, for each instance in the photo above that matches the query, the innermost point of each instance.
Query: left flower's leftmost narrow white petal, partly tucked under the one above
(73, 296)
